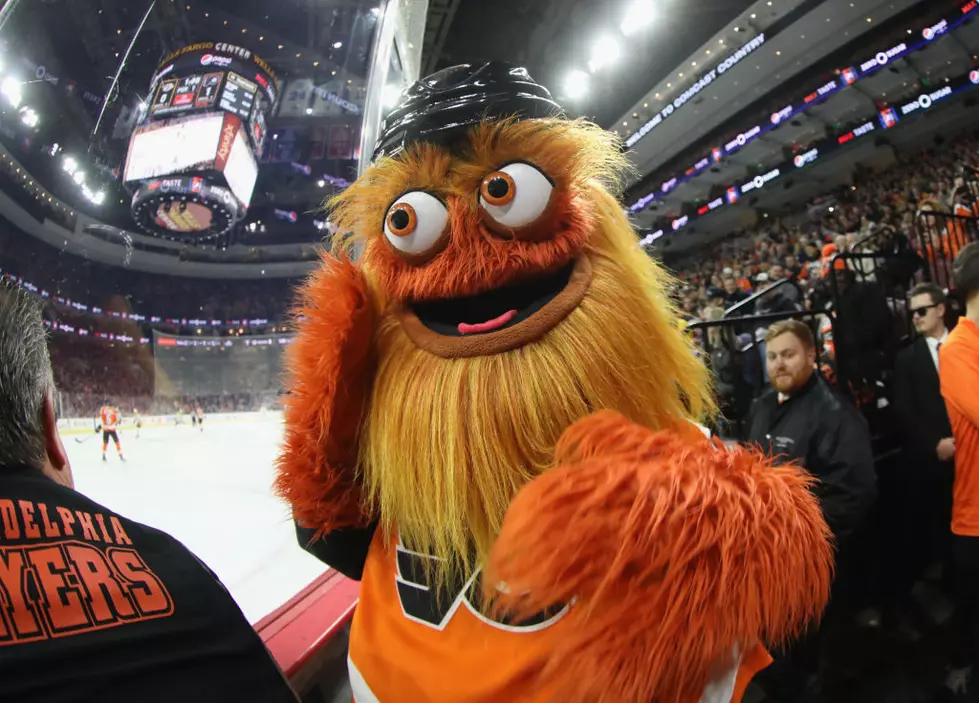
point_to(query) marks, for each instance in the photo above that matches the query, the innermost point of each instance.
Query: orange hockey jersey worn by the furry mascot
(406, 645)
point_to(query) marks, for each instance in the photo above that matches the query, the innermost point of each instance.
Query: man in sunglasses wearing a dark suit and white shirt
(920, 492)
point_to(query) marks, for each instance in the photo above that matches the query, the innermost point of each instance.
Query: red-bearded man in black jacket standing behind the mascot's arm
(801, 419)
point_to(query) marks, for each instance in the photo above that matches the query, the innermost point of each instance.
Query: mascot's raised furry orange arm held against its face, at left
(330, 366)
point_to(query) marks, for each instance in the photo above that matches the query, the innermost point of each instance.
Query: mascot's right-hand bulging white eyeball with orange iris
(516, 195)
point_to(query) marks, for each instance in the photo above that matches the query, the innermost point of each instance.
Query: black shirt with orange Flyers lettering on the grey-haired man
(95, 607)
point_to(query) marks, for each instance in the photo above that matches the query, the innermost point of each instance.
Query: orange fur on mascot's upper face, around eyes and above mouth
(570, 153)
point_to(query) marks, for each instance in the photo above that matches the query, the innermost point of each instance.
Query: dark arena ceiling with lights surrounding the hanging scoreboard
(65, 56)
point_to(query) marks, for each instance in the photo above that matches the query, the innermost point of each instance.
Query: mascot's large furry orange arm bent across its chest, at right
(674, 551)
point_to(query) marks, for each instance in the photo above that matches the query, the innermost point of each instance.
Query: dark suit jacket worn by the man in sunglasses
(918, 401)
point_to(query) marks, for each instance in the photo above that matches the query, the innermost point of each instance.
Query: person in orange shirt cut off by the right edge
(958, 367)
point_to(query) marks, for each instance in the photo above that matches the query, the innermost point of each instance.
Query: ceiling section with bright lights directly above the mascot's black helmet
(553, 37)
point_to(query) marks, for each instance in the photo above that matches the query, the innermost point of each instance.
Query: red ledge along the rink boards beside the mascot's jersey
(304, 625)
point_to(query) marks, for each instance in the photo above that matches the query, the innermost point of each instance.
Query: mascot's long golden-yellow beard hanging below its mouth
(447, 443)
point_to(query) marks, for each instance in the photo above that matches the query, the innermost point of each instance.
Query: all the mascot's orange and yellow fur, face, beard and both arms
(674, 552)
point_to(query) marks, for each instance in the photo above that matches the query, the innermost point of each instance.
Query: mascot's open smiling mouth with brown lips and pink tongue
(497, 320)
